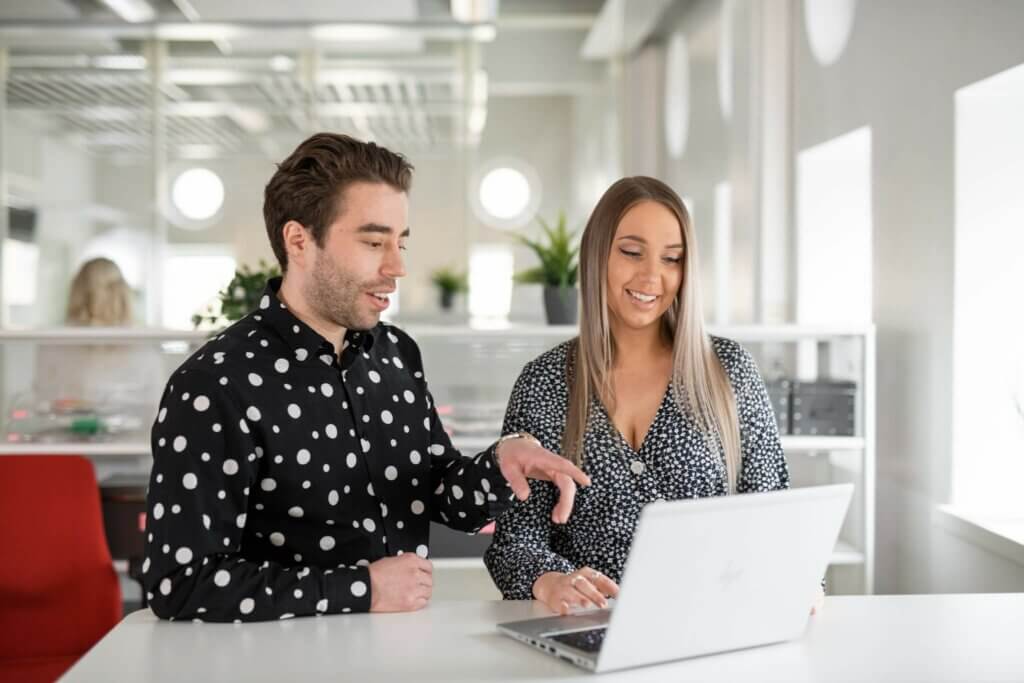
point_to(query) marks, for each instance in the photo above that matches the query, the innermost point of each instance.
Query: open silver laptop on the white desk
(706, 576)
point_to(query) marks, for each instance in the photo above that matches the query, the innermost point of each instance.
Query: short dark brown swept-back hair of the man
(309, 187)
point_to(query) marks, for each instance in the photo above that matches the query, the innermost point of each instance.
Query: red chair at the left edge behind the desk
(59, 591)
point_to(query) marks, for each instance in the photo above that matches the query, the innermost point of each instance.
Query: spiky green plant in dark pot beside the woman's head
(559, 271)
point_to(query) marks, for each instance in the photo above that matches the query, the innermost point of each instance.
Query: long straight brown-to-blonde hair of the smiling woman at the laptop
(701, 387)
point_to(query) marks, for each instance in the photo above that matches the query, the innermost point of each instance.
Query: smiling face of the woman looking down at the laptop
(646, 268)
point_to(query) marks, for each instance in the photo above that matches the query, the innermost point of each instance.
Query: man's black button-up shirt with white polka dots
(281, 472)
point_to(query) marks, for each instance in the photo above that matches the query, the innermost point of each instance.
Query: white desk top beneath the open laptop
(881, 638)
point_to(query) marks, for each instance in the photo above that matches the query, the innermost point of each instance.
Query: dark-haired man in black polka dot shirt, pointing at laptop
(298, 459)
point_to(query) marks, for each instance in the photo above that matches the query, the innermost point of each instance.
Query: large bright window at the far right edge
(989, 319)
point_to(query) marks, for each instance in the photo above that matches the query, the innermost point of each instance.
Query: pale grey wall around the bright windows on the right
(899, 74)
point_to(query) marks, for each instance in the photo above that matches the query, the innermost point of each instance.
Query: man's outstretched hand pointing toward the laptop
(522, 459)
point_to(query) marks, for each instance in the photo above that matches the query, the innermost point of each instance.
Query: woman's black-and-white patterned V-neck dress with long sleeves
(674, 462)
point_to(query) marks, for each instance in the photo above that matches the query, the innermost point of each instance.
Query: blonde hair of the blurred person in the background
(100, 296)
